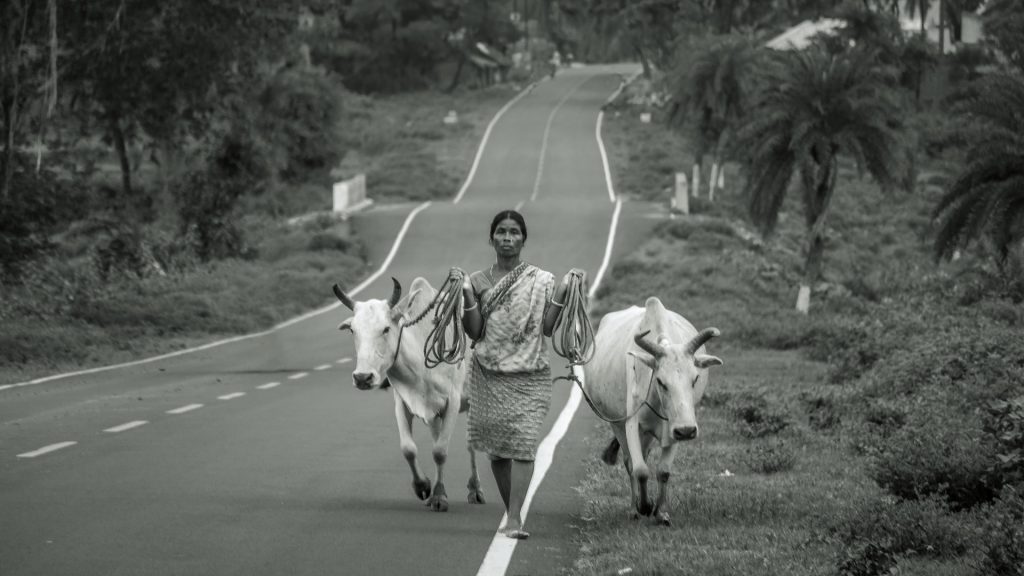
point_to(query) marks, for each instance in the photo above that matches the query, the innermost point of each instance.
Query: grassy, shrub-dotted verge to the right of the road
(822, 447)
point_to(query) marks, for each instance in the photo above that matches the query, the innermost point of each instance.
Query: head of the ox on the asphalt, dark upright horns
(375, 328)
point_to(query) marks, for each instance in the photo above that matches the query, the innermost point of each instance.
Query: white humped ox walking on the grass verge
(655, 356)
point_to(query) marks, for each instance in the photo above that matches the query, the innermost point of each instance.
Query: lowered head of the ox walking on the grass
(679, 377)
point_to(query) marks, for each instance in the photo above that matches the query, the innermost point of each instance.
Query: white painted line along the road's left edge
(363, 285)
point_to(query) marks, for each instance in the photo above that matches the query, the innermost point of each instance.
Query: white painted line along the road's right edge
(496, 562)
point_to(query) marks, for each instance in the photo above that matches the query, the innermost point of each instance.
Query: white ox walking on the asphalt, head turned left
(389, 352)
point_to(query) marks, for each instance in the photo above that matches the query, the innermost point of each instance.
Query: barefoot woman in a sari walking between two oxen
(510, 308)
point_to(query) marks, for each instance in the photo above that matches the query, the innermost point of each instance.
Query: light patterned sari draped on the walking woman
(509, 377)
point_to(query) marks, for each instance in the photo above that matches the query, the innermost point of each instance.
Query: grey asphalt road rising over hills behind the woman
(273, 472)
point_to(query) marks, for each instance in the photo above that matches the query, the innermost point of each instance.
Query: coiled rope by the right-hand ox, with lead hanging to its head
(573, 340)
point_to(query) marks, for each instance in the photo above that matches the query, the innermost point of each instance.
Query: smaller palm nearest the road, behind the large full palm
(710, 98)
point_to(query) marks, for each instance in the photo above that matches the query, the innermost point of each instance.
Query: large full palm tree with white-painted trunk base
(816, 106)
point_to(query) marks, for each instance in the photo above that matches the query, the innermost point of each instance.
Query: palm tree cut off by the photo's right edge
(988, 198)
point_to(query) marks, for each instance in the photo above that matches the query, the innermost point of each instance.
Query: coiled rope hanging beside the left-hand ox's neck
(443, 346)
